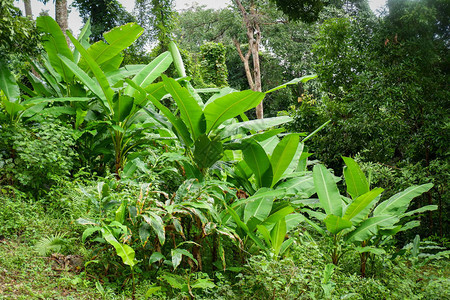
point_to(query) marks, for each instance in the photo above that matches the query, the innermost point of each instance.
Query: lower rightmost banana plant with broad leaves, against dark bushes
(358, 219)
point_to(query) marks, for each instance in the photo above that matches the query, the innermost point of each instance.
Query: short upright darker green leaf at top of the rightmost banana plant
(354, 178)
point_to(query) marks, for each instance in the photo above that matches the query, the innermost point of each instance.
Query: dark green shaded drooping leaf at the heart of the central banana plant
(207, 151)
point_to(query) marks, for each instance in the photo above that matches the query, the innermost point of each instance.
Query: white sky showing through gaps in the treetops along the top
(75, 21)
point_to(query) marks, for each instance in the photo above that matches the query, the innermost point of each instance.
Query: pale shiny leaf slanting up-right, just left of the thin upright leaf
(150, 72)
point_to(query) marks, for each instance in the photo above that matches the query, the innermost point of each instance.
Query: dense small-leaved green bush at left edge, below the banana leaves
(36, 156)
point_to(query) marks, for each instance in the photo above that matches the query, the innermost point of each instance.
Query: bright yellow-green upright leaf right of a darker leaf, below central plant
(283, 155)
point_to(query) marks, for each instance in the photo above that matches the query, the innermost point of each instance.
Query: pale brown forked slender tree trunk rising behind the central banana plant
(254, 40)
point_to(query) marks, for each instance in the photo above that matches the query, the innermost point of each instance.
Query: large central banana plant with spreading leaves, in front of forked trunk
(203, 128)
